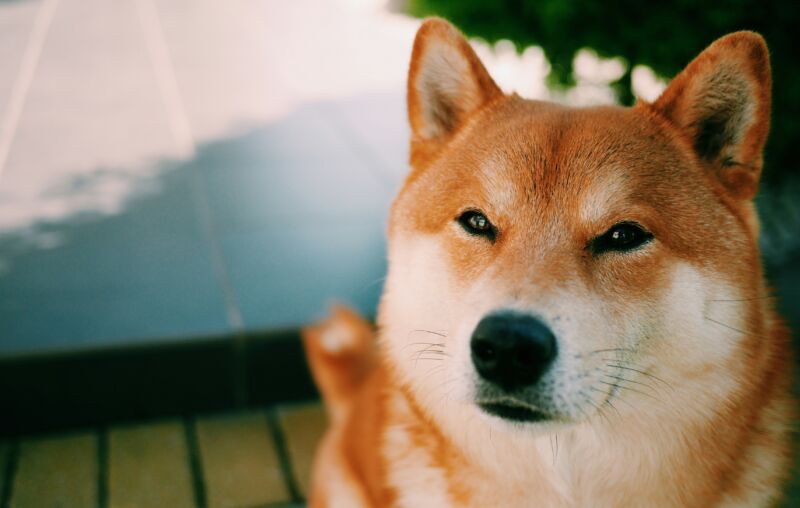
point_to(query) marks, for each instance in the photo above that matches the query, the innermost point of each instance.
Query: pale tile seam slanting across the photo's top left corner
(22, 85)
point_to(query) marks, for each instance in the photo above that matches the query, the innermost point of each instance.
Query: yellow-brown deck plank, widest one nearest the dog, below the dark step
(239, 460)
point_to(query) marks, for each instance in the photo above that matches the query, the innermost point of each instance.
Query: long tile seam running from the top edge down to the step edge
(172, 99)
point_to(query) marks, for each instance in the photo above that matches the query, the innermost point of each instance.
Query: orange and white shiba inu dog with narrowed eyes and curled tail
(575, 312)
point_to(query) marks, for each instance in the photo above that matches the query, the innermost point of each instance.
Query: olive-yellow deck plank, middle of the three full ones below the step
(148, 466)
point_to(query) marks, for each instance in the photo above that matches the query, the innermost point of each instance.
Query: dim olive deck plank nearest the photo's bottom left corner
(57, 471)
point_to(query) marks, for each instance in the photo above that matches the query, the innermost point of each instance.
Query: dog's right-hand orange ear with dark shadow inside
(721, 101)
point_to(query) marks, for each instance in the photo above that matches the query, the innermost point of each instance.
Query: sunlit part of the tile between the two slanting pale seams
(94, 101)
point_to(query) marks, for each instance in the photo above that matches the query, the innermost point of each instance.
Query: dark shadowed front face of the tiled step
(105, 386)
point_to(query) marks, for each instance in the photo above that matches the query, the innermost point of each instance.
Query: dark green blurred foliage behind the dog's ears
(663, 35)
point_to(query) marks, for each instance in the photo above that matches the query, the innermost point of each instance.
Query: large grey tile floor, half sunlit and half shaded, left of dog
(175, 169)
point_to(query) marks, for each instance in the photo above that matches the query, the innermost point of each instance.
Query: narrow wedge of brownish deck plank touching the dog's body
(302, 428)
